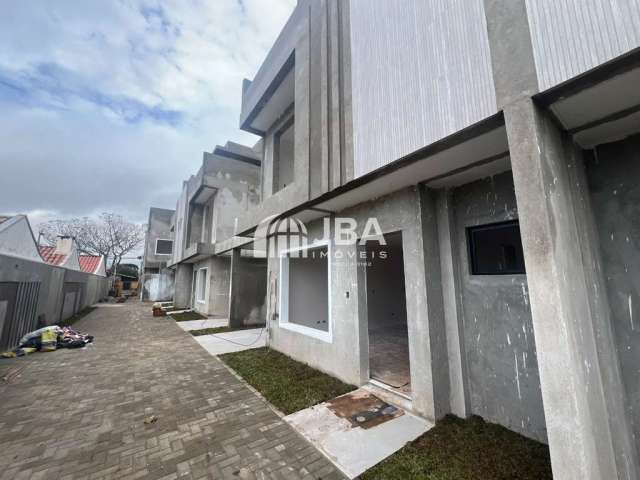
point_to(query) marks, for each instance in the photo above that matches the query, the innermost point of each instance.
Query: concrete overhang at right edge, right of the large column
(602, 105)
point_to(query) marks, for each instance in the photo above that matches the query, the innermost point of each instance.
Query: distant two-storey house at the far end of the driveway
(157, 279)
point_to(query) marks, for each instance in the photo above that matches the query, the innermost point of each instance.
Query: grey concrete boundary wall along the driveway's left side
(54, 282)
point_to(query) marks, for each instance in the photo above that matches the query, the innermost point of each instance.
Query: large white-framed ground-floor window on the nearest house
(305, 291)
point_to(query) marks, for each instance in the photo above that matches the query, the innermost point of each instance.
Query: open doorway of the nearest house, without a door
(387, 314)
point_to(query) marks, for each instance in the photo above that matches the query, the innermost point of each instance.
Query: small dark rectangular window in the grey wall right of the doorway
(496, 249)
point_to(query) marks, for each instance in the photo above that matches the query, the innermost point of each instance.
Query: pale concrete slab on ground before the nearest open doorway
(353, 449)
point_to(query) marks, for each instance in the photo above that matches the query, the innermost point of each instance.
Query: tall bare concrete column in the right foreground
(588, 434)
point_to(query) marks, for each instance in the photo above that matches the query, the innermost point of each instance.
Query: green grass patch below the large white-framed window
(289, 385)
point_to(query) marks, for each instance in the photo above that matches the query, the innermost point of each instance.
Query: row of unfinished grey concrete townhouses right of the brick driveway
(444, 204)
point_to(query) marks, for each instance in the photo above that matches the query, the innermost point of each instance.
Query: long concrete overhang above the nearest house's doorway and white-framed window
(474, 152)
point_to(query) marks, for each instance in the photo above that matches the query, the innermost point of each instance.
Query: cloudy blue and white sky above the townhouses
(106, 105)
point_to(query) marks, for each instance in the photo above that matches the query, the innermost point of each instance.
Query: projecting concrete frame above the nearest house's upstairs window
(266, 97)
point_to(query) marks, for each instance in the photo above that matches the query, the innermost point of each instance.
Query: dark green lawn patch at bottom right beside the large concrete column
(471, 449)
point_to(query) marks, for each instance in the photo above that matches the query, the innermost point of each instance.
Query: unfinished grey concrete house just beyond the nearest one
(206, 213)
